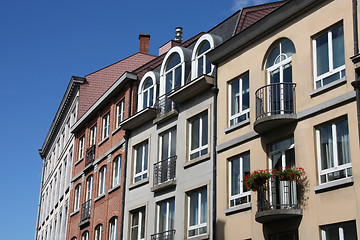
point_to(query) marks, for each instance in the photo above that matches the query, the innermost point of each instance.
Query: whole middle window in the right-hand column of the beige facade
(333, 151)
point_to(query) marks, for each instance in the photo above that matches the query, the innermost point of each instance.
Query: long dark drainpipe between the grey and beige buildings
(215, 91)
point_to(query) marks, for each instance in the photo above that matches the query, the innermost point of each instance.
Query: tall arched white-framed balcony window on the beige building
(279, 76)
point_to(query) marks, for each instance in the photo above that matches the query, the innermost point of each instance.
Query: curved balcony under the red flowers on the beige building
(280, 201)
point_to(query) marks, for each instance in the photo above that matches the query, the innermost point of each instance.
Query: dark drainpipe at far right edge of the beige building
(356, 82)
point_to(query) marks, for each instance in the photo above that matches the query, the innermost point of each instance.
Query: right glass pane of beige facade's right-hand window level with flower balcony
(343, 147)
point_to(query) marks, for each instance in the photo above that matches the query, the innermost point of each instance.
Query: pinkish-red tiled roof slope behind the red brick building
(98, 82)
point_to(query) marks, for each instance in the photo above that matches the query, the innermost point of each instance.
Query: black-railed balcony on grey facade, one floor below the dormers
(164, 173)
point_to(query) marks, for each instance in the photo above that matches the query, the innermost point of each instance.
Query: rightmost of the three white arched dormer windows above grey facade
(199, 63)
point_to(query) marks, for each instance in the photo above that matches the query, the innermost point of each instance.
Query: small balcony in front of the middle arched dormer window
(165, 109)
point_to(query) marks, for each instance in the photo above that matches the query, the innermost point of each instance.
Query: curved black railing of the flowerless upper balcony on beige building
(275, 99)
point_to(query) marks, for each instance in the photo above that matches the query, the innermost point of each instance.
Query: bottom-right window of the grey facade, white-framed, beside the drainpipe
(197, 212)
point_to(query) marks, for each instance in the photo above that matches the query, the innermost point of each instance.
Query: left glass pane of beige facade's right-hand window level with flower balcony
(326, 148)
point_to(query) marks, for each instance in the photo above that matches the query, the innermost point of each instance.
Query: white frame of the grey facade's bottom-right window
(199, 225)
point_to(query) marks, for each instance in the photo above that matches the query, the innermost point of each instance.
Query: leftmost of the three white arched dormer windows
(147, 90)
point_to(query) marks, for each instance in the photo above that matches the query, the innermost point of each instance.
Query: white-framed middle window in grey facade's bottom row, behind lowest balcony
(165, 217)
